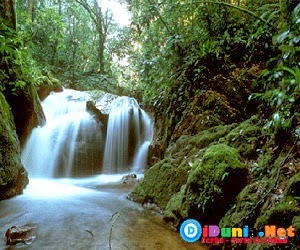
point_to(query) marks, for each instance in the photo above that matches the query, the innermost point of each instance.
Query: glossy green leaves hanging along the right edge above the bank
(280, 84)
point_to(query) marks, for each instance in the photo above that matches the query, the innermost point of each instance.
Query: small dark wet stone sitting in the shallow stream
(20, 234)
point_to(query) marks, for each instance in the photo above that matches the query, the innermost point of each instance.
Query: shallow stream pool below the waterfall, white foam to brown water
(77, 214)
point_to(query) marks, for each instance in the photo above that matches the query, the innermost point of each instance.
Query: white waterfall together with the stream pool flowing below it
(76, 198)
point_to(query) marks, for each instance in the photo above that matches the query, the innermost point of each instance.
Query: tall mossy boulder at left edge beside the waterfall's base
(13, 177)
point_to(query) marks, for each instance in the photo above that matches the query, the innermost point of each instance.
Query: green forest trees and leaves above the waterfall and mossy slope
(170, 49)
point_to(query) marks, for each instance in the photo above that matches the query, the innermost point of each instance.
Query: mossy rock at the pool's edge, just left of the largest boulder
(160, 182)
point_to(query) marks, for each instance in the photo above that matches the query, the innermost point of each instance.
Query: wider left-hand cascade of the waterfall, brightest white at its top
(69, 144)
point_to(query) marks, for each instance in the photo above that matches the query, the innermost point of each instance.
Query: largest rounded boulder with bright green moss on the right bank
(212, 186)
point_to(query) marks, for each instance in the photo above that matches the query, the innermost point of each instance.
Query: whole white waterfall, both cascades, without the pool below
(73, 144)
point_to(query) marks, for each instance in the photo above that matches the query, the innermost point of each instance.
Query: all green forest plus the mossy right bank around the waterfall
(222, 79)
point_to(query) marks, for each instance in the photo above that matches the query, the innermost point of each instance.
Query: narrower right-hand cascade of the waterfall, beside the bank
(129, 134)
